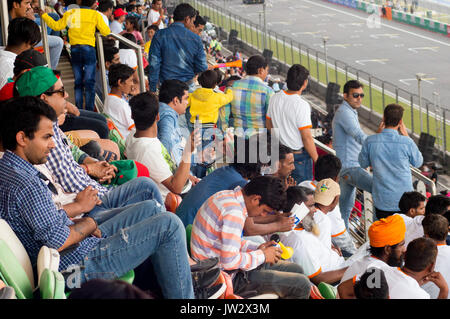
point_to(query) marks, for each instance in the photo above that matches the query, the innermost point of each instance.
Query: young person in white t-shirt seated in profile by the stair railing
(120, 79)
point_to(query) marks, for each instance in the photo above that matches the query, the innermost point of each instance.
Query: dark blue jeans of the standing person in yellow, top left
(84, 62)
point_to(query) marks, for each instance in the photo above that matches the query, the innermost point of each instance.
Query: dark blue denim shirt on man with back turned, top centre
(175, 53)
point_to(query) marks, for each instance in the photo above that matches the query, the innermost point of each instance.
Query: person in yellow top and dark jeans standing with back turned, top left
(82, 23)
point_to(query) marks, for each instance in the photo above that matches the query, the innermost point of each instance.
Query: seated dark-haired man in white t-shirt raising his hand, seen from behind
(144, 146)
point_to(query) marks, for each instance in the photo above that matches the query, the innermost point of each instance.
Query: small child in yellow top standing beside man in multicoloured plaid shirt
(205, 103)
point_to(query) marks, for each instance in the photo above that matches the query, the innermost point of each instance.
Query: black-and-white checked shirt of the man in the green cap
(66, 171)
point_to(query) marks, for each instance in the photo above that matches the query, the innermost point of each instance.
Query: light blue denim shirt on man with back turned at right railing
(390, 155)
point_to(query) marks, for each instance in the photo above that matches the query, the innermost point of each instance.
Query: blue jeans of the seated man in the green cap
(137, 190)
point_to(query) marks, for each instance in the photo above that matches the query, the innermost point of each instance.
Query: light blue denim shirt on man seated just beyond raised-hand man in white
(169, 132)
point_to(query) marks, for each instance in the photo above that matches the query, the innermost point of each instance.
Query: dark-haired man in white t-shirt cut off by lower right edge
(436, 227)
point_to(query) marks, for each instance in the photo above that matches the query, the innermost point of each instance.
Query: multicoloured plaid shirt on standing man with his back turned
(250, 102)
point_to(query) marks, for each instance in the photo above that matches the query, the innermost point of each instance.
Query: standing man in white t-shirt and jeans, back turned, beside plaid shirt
(291, 115)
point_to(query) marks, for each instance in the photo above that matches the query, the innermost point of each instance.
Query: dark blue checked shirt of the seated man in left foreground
(26, 205)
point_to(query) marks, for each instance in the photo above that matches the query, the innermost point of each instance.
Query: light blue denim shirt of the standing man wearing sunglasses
(347, 135)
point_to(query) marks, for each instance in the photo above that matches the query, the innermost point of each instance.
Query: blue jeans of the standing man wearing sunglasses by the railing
(349, 179)
